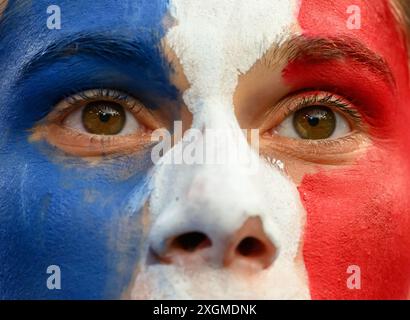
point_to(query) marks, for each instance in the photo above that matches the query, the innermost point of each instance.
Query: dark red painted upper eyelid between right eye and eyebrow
(371, 94)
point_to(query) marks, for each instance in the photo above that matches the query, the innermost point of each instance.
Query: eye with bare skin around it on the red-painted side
(316, 127)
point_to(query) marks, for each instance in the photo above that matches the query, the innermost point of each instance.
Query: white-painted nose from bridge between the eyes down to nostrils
(212, 201)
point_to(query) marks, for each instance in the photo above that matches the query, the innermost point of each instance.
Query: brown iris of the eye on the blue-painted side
(103, 117)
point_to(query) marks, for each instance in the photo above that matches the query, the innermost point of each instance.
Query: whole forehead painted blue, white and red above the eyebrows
(237, 33)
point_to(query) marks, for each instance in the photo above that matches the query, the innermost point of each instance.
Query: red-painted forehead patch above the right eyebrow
(377, 29)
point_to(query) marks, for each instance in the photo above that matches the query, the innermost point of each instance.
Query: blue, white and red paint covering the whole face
(99, 219)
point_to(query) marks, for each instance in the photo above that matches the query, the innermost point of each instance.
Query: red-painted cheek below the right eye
(358, 216)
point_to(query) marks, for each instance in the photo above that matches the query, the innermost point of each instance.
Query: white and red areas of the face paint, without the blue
(354, 216)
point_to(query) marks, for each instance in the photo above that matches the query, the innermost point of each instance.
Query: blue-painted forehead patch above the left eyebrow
(25, 20)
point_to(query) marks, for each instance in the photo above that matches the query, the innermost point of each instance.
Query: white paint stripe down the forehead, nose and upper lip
(216, 41)
